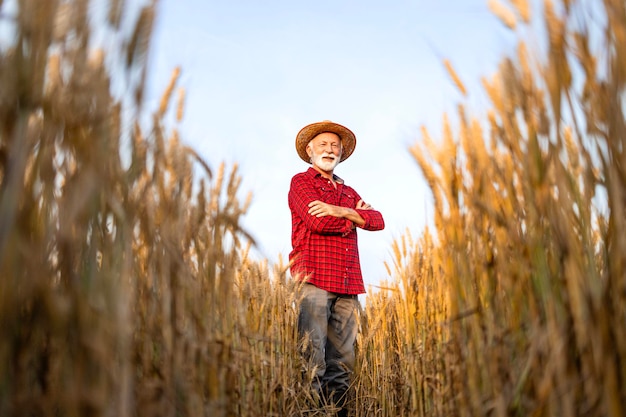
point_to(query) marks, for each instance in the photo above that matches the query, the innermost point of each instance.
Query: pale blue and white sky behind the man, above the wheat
(256, 72)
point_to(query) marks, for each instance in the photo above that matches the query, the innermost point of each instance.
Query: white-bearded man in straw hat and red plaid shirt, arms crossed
(326, 214)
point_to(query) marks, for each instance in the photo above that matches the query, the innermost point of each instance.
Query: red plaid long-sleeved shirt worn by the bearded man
(325, 249)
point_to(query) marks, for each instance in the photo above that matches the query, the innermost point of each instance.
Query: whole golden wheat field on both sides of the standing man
(126, 285)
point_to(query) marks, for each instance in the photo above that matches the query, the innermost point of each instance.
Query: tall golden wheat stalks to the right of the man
(528, 208)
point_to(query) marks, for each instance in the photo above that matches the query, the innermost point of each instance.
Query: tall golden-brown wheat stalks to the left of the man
(127, 288)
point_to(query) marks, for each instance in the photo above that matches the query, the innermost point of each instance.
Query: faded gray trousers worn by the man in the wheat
(330, 321)
